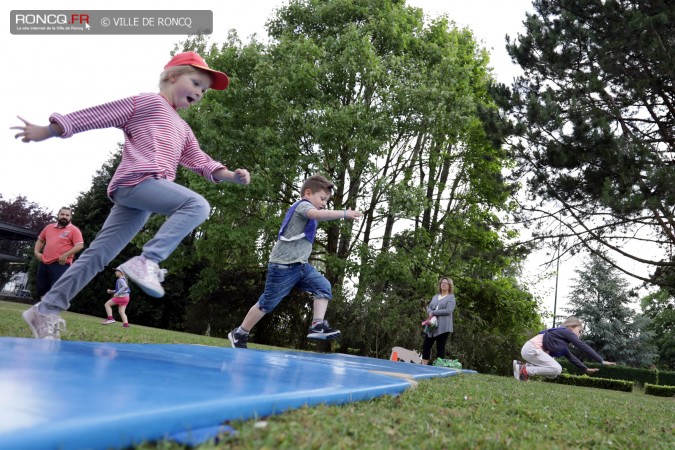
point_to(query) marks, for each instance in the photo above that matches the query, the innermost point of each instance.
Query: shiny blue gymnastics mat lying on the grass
(92, 395)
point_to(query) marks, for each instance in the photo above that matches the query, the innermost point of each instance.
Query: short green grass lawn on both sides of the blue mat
(470, 411)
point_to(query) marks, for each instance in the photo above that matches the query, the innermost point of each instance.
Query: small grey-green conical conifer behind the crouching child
(601, 299)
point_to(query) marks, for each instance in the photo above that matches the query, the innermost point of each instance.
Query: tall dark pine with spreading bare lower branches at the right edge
(595, 111)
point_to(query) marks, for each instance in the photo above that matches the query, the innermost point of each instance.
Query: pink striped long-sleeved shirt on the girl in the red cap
(156, 139)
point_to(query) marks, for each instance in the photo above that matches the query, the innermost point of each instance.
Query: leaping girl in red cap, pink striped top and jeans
(156, 141)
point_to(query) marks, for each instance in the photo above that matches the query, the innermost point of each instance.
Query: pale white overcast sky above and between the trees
(57, 73)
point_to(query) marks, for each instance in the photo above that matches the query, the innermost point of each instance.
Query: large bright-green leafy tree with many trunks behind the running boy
(395, 111)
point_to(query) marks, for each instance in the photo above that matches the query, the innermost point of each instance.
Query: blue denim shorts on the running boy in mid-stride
(281, 278)
